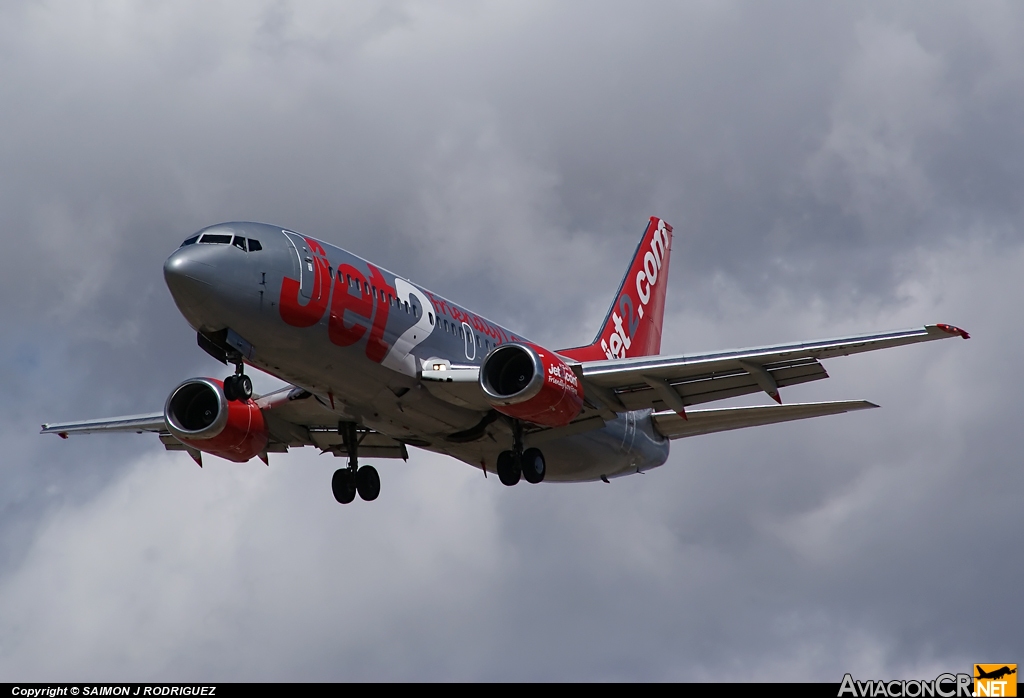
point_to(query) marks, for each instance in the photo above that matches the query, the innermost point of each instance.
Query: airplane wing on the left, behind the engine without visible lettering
(294, 418)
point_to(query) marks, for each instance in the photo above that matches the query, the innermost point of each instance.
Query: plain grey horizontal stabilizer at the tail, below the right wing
(700, 422)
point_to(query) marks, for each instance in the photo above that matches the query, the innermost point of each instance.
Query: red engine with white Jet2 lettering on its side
(531, 383)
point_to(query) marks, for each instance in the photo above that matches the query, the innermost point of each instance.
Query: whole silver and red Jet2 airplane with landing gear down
(376, 364)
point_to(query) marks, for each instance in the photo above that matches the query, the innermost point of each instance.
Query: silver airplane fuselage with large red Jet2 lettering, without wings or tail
(358, 337)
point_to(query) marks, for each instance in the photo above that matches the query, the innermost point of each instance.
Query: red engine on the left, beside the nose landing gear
(200, 416)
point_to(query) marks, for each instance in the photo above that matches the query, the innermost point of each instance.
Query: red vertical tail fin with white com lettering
(633, 327)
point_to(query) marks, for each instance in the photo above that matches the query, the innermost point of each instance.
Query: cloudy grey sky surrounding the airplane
(829, 168)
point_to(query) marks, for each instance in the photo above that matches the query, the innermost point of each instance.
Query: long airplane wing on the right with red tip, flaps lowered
(662, 383)
